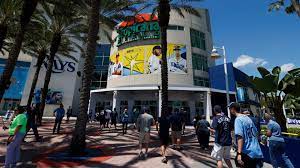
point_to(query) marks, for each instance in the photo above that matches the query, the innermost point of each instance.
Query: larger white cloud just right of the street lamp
(245, 60)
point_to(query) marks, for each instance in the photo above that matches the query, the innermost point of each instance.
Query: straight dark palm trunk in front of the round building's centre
(163, 19)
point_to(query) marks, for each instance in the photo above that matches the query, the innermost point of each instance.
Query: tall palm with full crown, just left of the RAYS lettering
(64, 25)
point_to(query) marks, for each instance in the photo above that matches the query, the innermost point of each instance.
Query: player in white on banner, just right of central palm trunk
(176, 63)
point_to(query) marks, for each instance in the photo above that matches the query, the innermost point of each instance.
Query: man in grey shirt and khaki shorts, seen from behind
(144, 123)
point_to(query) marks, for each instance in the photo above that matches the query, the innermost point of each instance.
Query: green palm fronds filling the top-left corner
(9, 11)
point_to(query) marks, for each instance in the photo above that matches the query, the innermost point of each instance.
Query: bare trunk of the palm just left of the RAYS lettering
(55, 43)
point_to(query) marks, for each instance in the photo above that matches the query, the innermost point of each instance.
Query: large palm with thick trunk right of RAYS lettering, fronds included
(105, 13)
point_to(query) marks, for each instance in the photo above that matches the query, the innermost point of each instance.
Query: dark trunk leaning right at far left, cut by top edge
(28, 8)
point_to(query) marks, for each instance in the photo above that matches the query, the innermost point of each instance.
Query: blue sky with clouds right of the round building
(253, 36)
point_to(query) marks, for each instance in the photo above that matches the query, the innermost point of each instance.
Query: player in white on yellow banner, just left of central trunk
(154, 61)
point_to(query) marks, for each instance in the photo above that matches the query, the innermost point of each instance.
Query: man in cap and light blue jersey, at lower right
(249, 154)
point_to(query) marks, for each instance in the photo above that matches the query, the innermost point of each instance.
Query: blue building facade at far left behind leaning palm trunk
(13, 95)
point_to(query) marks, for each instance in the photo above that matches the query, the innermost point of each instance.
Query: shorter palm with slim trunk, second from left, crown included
(37, 44)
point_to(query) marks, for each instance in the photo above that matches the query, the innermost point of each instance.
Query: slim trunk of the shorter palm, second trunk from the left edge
(40, 59)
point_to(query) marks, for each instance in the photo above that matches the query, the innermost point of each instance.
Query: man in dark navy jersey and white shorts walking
(222, 129)
